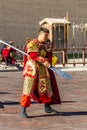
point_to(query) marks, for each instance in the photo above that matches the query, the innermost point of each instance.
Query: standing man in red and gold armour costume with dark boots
(39, 81)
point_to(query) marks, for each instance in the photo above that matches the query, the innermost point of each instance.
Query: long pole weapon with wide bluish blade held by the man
(54, 69)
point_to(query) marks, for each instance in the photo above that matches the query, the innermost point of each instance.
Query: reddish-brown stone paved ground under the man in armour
(72, 112)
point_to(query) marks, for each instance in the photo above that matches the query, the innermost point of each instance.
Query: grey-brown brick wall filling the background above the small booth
(19, 19)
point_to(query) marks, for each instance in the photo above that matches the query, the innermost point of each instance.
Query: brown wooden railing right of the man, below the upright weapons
(65, 53)
